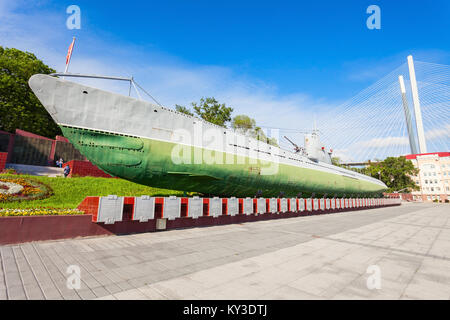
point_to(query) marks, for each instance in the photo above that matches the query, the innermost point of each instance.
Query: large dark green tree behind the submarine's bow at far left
(19, 107)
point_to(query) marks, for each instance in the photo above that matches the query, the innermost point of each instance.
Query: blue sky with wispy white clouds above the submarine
(295, 58)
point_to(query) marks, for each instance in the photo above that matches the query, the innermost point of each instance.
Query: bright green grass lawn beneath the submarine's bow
(69, 192)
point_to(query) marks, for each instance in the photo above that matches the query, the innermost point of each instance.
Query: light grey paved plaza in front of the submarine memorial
(330, 256)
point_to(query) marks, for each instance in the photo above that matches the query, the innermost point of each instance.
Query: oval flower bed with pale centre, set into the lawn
(19, 189)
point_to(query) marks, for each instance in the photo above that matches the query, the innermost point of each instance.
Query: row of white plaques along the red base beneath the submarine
(110, 208)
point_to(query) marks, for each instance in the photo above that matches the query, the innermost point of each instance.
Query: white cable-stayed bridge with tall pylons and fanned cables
(374, 124)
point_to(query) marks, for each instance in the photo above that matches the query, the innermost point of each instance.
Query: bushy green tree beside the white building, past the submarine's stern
(395, 172)
